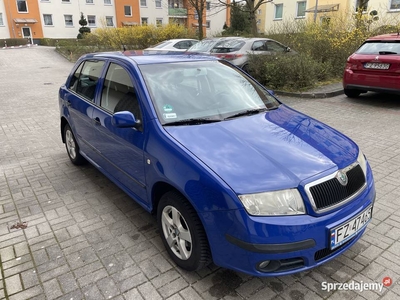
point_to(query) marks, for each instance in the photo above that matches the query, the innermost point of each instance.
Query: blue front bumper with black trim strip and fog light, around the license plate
(291, 243)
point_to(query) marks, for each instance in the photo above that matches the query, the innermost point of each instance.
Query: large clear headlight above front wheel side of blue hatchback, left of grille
(284, 202)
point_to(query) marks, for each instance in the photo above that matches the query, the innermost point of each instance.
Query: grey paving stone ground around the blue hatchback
(67, 232)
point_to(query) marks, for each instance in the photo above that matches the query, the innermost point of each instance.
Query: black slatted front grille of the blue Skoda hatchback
(331, 192)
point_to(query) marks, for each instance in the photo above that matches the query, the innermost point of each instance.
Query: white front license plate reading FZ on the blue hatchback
(345, 231)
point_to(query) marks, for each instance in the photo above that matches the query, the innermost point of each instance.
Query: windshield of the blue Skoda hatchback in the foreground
(203, 91)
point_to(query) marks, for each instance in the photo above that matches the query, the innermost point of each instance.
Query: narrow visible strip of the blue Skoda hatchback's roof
(140, 58)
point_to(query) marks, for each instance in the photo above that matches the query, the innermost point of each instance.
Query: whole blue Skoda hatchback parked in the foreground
(234, 176)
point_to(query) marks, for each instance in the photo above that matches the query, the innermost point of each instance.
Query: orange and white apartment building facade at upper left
(56, 10)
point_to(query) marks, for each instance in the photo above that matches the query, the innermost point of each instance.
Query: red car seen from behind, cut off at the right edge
(375, 66)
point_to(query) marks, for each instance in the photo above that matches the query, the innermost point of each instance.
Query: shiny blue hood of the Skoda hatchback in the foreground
(269, 151)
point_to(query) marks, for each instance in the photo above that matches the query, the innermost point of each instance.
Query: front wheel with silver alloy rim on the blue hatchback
(182, 232)
